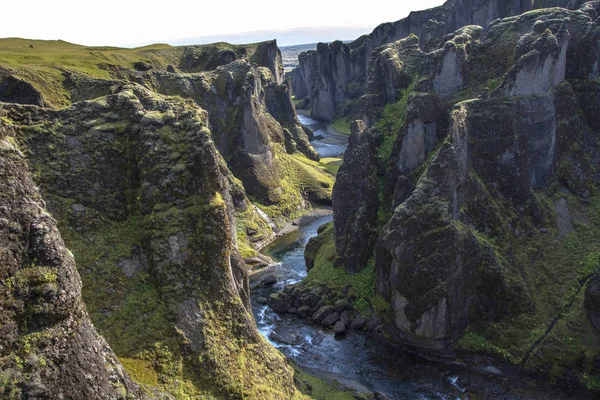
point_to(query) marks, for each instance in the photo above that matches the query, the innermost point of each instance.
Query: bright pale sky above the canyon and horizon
(129, 23)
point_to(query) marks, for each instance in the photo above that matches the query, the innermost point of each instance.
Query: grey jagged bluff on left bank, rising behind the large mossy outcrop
(252, 119)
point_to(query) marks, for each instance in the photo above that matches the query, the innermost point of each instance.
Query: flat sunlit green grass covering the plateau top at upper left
(44, 65)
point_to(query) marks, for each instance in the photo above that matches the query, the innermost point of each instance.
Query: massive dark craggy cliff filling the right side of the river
(480, 159)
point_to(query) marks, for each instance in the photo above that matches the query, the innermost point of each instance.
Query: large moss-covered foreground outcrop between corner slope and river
(149, 207)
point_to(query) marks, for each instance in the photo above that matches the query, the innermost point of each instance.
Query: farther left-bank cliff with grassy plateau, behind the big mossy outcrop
(250, 112)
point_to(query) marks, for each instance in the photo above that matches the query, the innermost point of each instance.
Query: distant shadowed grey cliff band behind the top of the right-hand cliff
(330, 75)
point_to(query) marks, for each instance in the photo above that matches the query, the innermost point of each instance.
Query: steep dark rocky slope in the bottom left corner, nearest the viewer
(48, 346)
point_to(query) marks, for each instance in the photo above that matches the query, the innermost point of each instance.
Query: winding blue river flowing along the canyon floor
(366, 362)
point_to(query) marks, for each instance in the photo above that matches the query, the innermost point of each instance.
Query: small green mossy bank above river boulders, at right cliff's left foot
(362, 284)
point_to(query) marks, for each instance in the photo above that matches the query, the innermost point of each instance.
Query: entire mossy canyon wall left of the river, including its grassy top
(152, 194)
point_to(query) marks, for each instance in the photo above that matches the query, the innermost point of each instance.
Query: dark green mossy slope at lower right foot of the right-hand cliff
(551, 272)
